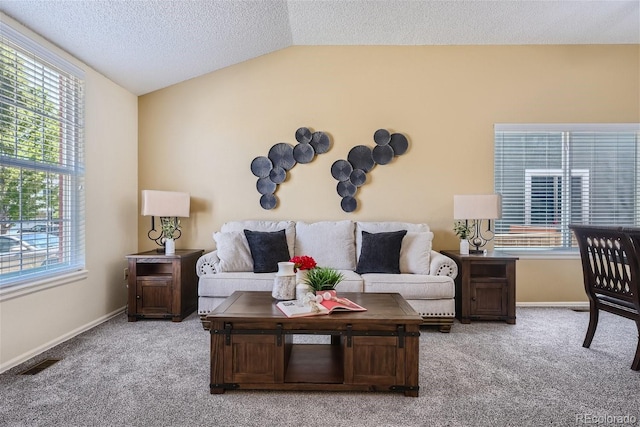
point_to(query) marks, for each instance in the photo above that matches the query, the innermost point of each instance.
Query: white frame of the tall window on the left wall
(70, 114)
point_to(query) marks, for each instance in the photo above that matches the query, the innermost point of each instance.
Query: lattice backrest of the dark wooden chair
(610, 263)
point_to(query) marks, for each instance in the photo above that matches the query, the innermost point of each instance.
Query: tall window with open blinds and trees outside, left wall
(41, 163)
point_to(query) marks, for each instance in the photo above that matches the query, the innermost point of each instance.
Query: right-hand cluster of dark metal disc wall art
(352, 173)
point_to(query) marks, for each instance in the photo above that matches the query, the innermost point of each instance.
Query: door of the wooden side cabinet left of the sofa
(154, 295)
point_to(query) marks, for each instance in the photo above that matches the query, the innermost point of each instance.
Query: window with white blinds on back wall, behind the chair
(554, 175)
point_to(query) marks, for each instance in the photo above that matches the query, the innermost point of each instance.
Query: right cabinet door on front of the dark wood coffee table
(374, 360)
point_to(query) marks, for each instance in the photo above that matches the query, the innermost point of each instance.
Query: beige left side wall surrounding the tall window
(32, 323)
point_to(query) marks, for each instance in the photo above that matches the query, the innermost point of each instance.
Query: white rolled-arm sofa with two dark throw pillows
(425, 278)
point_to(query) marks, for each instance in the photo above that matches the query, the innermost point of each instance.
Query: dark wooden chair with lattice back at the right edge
(611, 273)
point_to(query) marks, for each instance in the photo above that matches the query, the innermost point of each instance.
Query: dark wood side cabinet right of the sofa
(485, 286)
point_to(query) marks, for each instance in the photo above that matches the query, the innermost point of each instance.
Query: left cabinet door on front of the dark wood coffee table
(254, 359)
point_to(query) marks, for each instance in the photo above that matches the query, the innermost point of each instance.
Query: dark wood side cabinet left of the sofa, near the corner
(163, 286)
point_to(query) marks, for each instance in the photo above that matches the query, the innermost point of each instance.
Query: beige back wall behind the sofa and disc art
(201, 135)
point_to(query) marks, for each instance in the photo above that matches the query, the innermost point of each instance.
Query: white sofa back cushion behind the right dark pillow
(415, 254)
